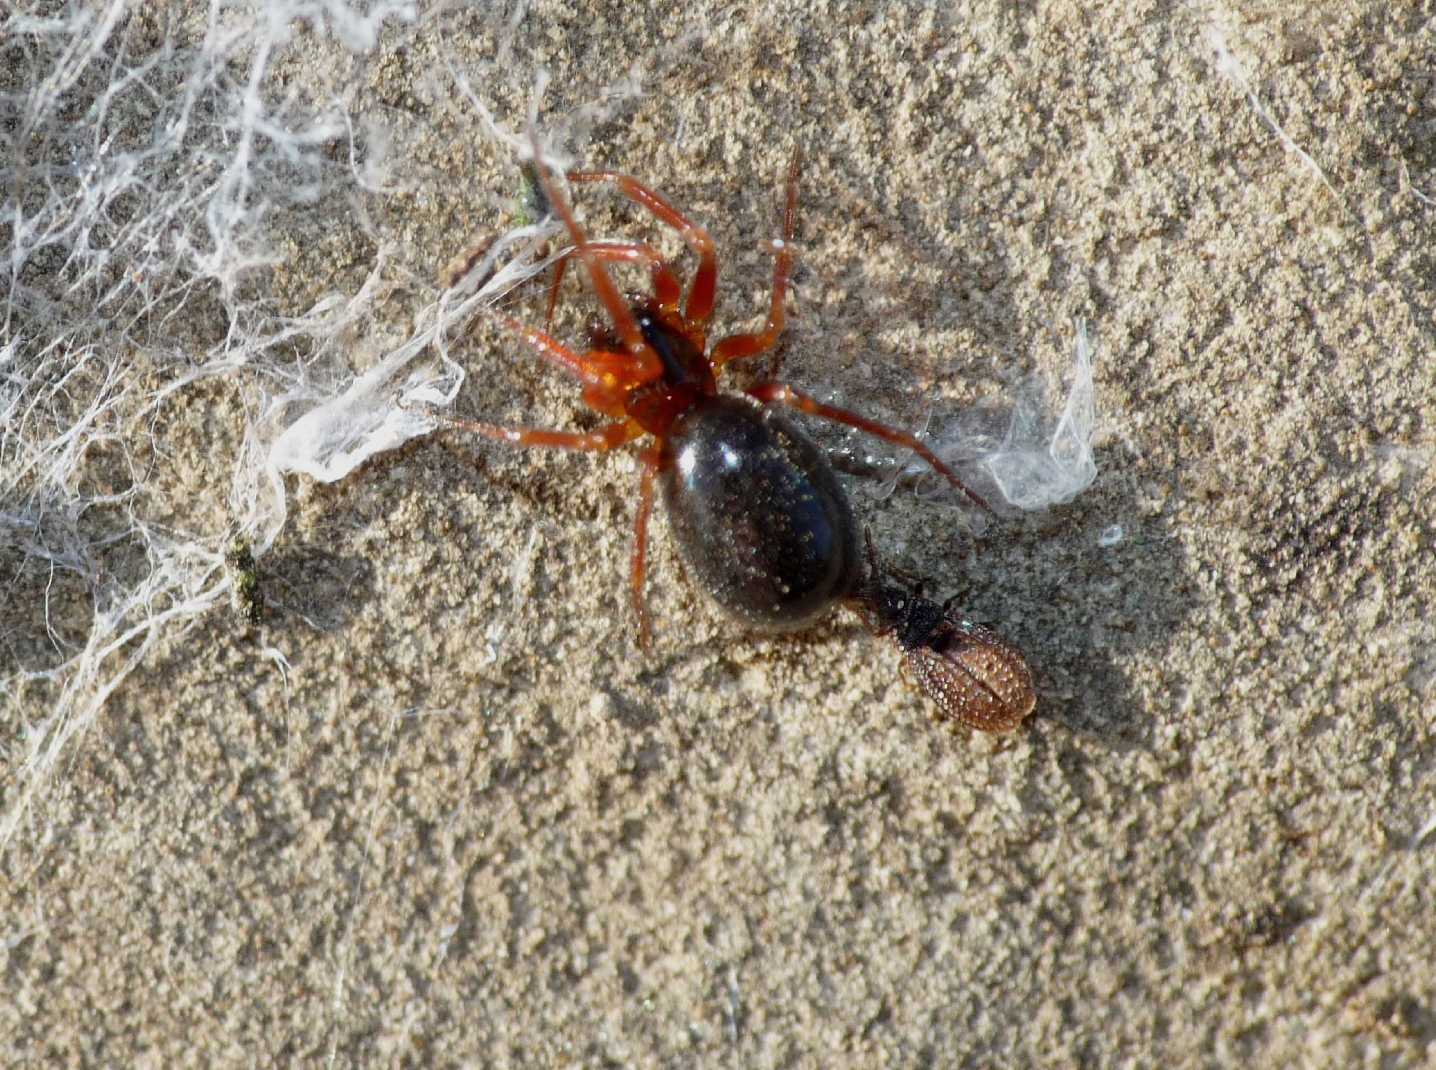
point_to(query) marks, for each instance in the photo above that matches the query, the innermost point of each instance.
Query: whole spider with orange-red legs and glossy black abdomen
(755, 506)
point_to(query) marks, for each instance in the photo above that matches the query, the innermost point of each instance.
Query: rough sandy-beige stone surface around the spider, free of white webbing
(473, 827)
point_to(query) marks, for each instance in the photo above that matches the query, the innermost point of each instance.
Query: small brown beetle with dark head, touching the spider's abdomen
(974, 676)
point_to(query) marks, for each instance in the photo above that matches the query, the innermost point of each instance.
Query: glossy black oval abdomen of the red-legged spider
(760, 519)
